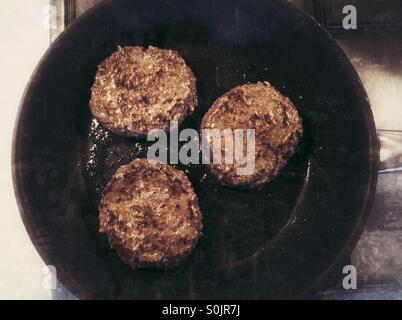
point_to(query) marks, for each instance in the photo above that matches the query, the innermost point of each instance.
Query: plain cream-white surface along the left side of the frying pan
(24, 39)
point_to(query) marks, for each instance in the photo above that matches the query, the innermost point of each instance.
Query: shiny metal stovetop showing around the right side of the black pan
(375, 49)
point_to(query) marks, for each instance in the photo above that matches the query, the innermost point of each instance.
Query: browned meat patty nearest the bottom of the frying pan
(150, 214)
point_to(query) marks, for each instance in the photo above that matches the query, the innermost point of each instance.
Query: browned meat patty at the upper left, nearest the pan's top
(138, 89)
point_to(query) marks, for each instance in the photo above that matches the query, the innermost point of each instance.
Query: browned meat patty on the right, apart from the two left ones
(278, 129)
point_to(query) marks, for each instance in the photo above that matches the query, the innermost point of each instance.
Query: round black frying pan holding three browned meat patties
(283, 241)
